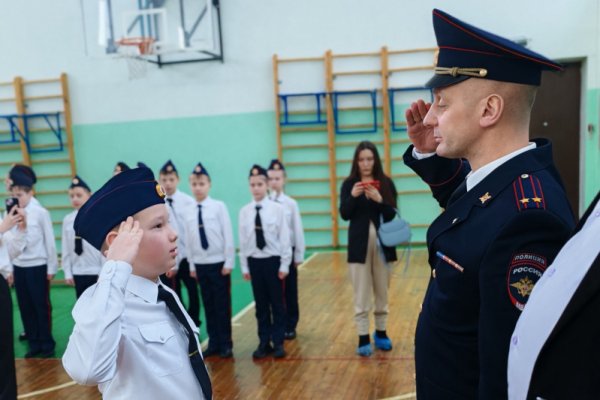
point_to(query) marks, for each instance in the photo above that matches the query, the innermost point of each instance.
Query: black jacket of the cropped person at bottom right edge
(568, 366)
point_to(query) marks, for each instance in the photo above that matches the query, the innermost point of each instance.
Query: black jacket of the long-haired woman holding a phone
(360, 211)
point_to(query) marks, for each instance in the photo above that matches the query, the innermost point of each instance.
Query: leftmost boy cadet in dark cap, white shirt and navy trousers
(35, 266)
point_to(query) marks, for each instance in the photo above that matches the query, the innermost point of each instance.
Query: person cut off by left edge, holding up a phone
(11, 244)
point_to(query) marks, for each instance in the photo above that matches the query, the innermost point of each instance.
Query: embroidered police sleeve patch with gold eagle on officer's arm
(524, 271)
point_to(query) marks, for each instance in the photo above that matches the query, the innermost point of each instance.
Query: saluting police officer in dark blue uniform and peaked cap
(506, 213)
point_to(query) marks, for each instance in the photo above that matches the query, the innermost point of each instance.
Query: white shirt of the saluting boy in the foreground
(127, 342)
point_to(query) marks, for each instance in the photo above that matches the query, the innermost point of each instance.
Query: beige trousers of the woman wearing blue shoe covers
(370, 279)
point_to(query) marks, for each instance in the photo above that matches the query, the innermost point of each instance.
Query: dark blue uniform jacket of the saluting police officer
(504, 233)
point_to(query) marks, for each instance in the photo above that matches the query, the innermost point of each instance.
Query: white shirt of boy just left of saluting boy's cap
(88, 263)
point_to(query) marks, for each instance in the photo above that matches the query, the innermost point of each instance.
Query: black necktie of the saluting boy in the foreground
(194, 355)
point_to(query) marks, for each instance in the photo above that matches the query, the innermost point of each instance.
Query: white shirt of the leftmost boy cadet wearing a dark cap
(40, 247)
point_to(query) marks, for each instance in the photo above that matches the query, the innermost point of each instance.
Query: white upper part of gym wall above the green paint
(41, 38)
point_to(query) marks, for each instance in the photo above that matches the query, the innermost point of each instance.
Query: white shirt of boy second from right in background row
(276, 233)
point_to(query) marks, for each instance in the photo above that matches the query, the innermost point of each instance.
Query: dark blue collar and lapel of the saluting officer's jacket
(486, 191)
